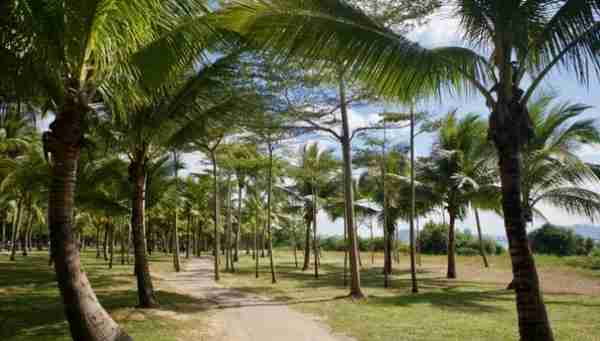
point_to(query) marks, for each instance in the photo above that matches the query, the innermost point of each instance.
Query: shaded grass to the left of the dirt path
(31, 308)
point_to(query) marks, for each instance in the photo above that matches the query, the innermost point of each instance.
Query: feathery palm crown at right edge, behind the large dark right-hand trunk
(552, 172)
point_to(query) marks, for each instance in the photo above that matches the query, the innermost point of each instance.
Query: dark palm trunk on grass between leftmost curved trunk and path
(146, 297)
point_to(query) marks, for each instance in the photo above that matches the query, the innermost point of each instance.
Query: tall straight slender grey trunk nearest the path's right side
(355, 288)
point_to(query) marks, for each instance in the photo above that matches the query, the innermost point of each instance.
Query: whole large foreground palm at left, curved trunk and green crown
(75, 49)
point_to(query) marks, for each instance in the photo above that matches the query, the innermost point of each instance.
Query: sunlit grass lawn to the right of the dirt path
(474, 307)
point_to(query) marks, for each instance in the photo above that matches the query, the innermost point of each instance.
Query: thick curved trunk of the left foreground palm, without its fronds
(87, 318)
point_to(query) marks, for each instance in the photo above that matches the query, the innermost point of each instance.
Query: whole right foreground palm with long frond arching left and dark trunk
(522, 37)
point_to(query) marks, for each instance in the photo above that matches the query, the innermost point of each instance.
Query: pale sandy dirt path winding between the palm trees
(244, 317)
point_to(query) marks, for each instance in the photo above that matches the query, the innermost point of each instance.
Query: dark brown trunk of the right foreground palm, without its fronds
(510, 128)
